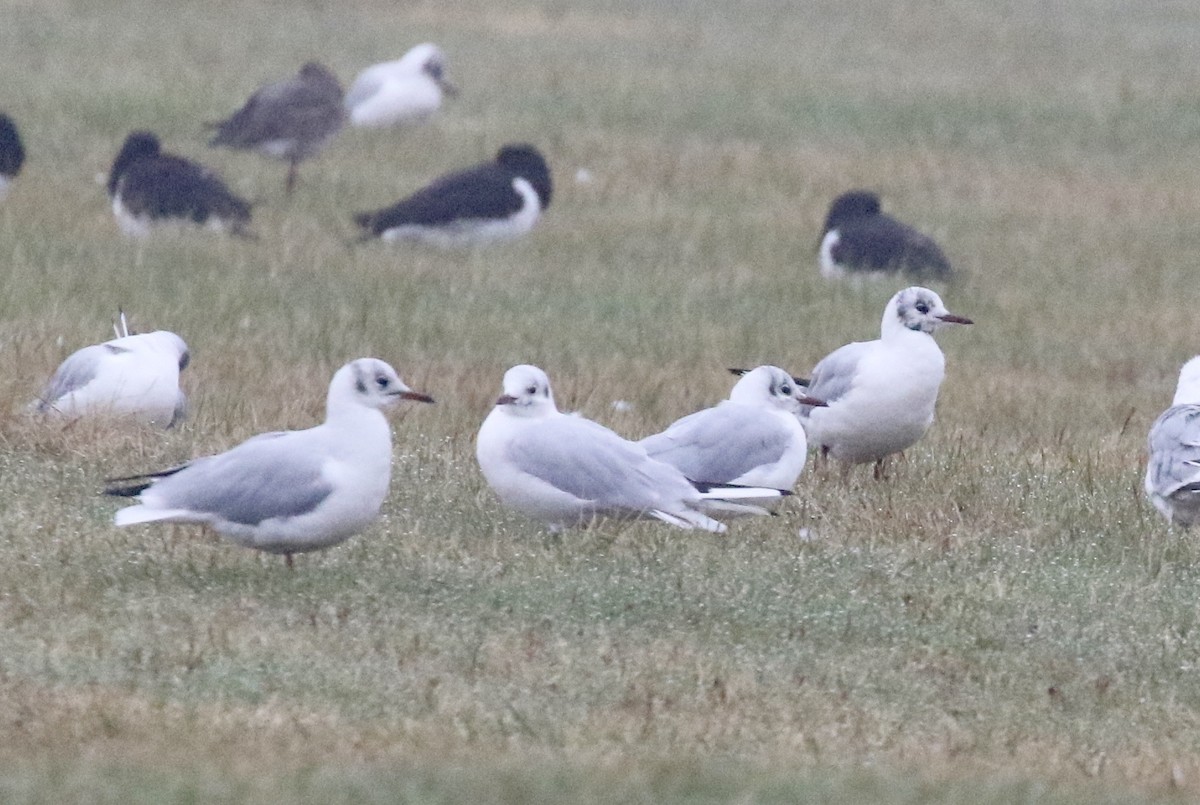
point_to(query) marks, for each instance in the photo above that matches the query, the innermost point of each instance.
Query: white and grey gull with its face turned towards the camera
(567, 471)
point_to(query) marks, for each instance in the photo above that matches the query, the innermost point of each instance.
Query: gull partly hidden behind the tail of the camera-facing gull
(754, 438)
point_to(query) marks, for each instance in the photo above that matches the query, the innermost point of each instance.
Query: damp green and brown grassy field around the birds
(1004, 621)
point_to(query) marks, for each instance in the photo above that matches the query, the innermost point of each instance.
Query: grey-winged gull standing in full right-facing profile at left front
(291, 491)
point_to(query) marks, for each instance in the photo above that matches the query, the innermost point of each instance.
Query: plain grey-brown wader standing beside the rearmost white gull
(291, 121)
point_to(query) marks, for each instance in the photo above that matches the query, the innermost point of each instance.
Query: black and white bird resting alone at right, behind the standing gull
(860, 241)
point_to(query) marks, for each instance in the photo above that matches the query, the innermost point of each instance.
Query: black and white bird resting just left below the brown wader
(149, 188)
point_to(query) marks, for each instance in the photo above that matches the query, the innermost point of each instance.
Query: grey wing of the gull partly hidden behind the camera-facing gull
(719, 444)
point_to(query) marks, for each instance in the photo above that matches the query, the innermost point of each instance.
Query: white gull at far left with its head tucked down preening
(134, 377)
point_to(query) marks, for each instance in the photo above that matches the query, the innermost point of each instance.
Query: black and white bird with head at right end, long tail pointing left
(496, 201)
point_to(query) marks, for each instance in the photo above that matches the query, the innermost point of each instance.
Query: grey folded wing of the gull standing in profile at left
(272, 476)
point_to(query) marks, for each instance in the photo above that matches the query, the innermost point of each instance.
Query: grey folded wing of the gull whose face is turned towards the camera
(593, 464)
